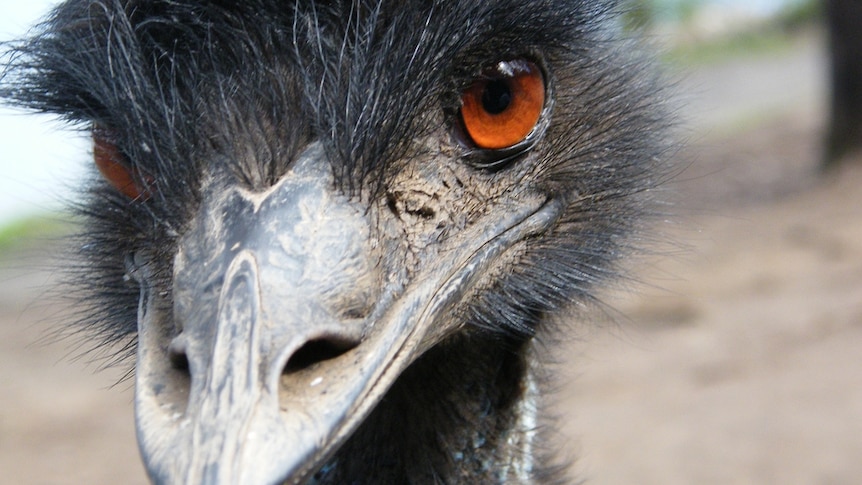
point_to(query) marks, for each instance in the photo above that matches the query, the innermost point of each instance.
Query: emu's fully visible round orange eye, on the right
(502, 108)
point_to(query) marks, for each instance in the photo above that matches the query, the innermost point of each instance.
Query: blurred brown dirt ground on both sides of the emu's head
(738, 361)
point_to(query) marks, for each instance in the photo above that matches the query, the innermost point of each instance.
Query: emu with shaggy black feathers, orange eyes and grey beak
(330, 234)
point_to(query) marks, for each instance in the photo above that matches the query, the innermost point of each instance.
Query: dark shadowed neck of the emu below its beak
(463, 413)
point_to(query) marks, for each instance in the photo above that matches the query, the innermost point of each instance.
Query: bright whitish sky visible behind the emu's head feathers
(42, 161)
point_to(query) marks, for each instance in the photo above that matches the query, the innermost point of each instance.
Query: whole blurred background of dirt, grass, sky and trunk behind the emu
(737, 359)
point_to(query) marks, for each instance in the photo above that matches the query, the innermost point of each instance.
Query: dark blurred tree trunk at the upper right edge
(844, 18)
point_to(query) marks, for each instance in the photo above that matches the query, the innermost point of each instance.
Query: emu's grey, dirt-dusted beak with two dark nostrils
(286, 326)
